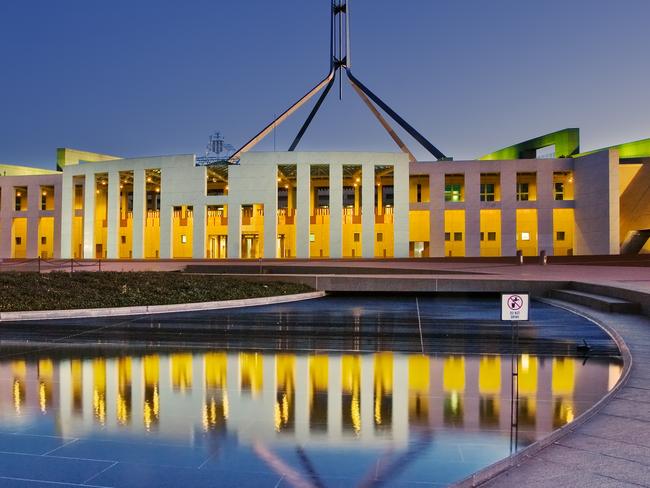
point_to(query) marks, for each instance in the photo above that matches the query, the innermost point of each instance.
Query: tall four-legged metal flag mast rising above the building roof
(340, 60)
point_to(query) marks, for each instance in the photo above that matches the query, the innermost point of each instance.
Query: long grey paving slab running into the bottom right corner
(596, 463)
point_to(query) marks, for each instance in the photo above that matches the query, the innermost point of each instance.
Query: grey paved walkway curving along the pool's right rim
(611, 449)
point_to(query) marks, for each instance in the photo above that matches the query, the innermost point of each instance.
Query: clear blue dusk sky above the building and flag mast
(153, 77)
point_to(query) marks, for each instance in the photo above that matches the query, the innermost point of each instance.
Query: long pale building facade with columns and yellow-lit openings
(329, 205)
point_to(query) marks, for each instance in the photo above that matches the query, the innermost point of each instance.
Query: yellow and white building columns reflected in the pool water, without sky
(374, 398)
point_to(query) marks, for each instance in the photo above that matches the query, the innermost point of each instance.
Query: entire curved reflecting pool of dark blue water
(331, 392)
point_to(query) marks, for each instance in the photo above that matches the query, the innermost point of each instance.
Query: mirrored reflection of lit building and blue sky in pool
(319, 419)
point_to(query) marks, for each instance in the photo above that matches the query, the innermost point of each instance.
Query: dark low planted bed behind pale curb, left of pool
(57, 291)
